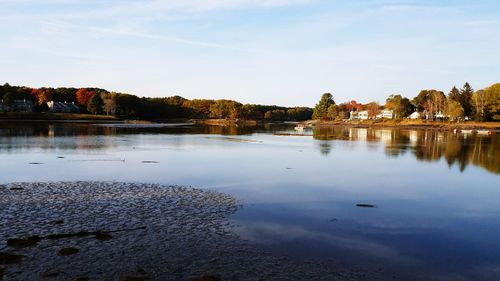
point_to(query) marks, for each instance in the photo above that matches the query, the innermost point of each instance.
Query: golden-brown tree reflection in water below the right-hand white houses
(426, 145)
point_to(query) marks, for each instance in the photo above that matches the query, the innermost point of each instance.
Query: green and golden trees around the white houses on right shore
(458, 104)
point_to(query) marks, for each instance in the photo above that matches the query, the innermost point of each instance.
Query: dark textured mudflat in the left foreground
(130, 231)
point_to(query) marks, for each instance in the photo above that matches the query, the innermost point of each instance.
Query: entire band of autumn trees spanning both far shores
(480, 105)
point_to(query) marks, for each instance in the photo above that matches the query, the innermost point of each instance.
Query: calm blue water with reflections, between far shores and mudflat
(437, 195)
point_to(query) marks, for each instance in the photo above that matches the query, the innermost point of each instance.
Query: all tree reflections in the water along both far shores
(426, 145)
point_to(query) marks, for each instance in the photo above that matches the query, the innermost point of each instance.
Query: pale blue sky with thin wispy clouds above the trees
(285, 52)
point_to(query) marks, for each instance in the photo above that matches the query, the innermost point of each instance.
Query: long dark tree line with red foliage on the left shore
(101, 101)
